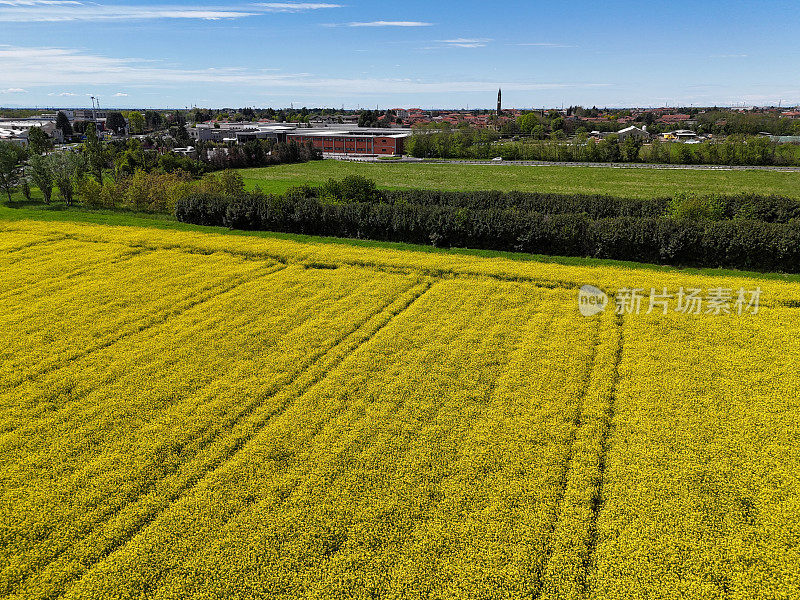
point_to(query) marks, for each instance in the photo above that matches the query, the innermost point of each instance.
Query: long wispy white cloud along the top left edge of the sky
(27, 11)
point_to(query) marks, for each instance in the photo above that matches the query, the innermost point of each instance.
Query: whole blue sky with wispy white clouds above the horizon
(361, 53)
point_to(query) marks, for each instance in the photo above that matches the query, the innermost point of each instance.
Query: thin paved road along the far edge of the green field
(536, 163)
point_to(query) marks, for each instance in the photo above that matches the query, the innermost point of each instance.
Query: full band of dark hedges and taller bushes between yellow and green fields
(744, 232)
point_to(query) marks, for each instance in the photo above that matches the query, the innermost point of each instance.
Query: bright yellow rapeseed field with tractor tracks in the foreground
(190, 415)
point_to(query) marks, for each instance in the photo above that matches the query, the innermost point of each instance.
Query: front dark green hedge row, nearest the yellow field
(742, 244)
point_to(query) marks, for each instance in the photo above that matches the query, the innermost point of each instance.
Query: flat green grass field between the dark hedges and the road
(630, 183)
